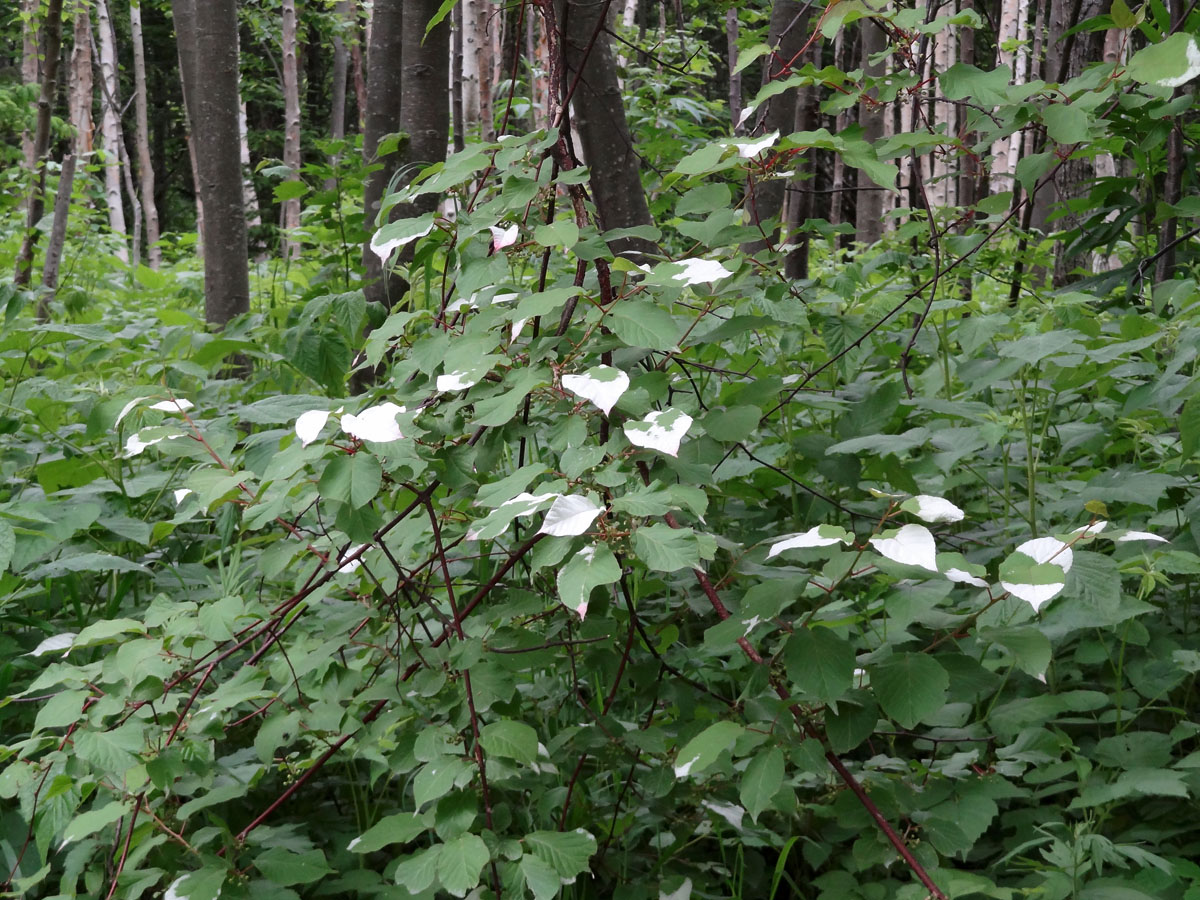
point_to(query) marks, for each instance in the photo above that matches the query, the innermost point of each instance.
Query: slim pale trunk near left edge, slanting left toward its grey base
(80, 105)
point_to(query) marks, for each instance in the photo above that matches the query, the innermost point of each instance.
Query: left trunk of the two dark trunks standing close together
(381, 118)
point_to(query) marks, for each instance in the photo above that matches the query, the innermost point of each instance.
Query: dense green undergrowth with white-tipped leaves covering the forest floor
(679, 580)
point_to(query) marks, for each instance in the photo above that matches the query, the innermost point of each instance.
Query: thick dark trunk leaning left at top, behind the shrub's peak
(599, 116)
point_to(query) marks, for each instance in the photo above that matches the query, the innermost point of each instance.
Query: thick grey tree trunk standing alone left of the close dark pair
(213, 109)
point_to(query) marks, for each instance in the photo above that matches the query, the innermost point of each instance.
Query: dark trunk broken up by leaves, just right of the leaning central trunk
(765, 202)
